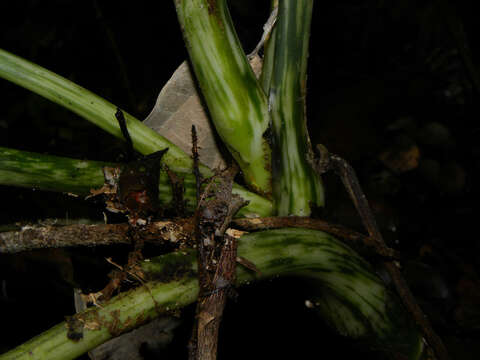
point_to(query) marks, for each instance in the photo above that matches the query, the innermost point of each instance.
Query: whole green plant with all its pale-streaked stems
(262, 123)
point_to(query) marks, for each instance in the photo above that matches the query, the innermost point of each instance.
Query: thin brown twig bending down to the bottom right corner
(352, 185)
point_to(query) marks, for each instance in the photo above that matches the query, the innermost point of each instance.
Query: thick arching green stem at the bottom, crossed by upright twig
(355, 301)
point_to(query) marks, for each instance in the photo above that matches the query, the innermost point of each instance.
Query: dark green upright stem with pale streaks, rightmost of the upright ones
(296, 185)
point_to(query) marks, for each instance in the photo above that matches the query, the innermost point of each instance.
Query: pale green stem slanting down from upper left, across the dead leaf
(91, 107)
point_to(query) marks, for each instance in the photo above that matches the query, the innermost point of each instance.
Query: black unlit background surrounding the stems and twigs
(386, 82)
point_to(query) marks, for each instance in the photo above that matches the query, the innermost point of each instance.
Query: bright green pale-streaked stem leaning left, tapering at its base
(235, 100)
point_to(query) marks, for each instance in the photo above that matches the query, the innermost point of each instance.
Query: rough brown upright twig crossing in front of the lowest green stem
(216, 261)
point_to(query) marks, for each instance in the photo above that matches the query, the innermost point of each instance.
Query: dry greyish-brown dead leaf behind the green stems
(178, 107)
